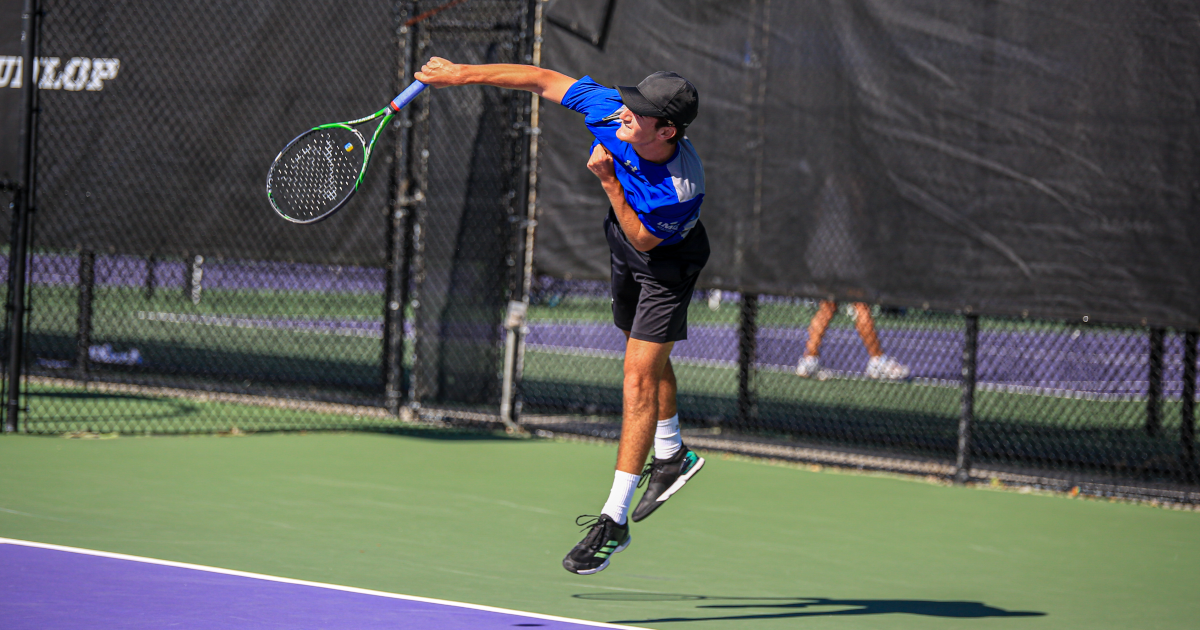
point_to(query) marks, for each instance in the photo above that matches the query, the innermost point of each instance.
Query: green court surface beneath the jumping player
(485, 520)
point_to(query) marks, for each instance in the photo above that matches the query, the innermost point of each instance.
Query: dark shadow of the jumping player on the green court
(796, 608)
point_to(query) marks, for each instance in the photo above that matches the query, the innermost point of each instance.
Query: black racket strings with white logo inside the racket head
(317, 173)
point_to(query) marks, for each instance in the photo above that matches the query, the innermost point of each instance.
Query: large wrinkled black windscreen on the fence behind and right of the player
(1011, 158)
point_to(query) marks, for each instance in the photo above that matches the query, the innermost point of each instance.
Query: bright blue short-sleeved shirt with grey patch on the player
(667, 197)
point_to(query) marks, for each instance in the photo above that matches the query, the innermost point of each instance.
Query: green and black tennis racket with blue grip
(322, 169)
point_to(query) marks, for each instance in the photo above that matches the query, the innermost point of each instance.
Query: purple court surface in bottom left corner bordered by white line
(65, 589)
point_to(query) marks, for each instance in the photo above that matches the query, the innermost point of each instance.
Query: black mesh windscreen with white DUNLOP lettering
(170, 155)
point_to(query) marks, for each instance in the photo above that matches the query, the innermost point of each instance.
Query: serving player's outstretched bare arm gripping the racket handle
(547, 83)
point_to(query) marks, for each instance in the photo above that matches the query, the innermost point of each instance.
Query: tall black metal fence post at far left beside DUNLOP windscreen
(21, 217)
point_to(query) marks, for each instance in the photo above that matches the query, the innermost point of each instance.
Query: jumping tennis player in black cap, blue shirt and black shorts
(656, 184)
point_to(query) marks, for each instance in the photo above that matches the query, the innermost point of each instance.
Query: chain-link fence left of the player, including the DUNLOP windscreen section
(158, 266)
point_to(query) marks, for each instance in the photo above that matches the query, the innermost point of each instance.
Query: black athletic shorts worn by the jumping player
(651, 290)
